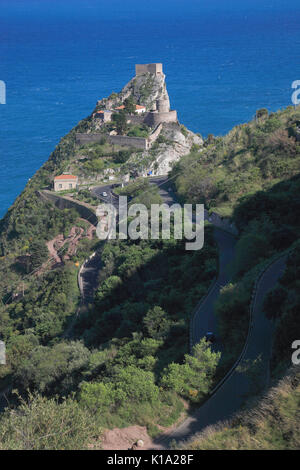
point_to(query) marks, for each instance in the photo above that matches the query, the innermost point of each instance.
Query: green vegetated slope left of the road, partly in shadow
(128, 361)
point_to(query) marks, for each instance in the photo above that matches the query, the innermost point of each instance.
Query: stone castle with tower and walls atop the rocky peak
(154, 115)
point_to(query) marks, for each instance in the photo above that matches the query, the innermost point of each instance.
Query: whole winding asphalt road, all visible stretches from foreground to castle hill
(230, 397)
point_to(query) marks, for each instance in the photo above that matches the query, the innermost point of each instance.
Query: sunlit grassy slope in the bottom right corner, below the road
(272, 423)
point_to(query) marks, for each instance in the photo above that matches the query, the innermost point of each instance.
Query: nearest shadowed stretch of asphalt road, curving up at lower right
(229, 398)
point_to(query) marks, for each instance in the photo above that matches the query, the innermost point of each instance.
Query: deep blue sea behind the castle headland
(223, 60)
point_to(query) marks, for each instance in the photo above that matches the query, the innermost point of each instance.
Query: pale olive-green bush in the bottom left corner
(41, 424)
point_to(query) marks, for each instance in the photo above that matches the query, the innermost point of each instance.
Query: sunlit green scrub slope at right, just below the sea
(250, 158)
